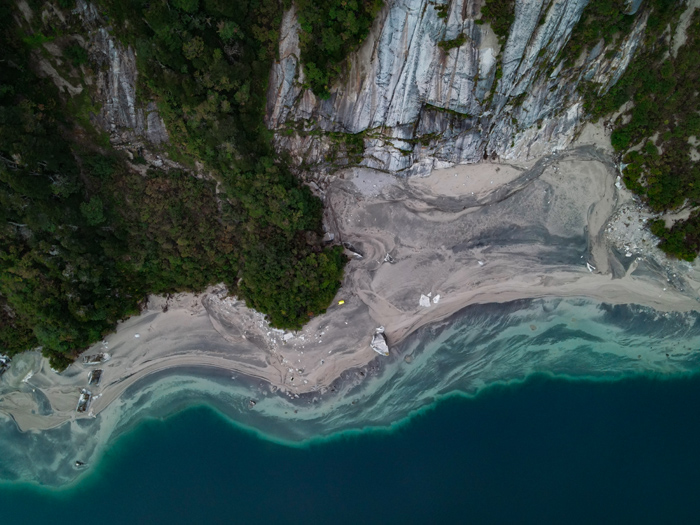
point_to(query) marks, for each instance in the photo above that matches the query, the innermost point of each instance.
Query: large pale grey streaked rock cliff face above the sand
(417, 106)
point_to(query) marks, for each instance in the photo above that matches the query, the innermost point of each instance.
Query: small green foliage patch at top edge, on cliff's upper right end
(601, 20)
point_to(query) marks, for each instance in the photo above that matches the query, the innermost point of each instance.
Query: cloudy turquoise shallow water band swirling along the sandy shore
(482, 346)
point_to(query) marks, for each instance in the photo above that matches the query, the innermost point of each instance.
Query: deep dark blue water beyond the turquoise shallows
(541, 452)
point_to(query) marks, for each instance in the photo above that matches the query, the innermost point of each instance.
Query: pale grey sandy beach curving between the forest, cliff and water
(528, 234)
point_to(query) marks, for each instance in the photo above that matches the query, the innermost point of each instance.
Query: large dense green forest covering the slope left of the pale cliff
(84, 239)
